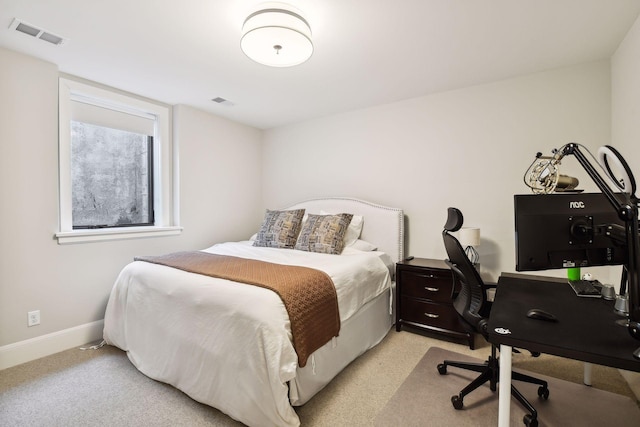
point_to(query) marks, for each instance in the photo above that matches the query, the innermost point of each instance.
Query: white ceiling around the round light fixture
(366, 52)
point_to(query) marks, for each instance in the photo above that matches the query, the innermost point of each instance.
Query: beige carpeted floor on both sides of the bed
(102, 388)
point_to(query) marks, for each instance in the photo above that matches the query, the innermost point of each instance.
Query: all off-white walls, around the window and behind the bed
(467, 148)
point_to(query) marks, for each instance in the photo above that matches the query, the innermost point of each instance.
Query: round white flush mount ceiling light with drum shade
(277, 35)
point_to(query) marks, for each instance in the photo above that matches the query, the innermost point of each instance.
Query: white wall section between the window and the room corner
(220, 179)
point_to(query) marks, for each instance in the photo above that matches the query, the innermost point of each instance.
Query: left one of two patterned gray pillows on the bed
(280, 229)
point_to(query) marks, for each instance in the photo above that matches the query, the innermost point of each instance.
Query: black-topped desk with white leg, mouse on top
(586, 329)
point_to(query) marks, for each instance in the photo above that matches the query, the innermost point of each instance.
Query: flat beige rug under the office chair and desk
(424, 399)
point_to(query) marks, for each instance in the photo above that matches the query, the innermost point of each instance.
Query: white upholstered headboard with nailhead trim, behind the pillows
(383, 226)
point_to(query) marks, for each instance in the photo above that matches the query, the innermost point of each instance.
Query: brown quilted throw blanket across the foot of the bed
(308, 294)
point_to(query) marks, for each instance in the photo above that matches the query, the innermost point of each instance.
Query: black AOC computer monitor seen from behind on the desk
(565, 230)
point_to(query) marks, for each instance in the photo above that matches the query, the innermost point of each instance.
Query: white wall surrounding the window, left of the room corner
(220, 176)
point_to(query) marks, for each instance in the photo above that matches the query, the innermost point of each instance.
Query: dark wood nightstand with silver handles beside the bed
(423, 299)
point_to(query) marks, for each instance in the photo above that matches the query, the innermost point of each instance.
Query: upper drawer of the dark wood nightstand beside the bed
(427, 284)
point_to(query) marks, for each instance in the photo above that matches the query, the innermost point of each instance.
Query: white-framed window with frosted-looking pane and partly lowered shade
(115, 166)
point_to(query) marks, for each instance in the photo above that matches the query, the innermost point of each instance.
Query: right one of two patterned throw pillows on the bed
(324, 233)
